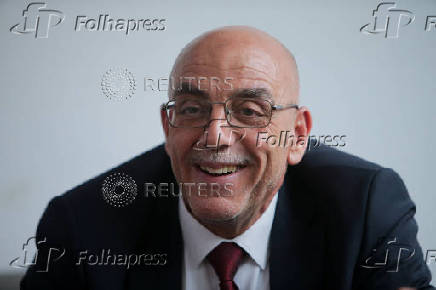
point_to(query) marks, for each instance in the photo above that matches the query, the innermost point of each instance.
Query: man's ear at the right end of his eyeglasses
(302, 127)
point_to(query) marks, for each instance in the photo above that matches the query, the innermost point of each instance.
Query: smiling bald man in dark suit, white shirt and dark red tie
(251, 215)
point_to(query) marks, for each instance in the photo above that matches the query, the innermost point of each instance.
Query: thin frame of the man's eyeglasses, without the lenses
(274, 107)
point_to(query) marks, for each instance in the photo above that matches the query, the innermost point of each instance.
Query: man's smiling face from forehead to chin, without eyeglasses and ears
(235, 174)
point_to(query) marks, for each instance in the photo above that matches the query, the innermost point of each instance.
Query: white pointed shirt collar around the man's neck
(199, 241)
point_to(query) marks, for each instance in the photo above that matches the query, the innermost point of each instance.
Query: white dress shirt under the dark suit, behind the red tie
(252, 273)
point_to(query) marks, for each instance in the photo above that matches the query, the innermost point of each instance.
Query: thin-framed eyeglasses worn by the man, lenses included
(194, 112)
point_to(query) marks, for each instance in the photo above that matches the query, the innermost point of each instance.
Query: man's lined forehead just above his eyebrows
(243, 68)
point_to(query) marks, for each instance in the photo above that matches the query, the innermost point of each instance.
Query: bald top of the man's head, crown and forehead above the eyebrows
(241, 52)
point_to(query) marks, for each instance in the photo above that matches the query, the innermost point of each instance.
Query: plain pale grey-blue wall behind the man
(57, 128)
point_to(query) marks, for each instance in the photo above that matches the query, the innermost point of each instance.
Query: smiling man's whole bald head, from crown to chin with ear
(262, 73)
